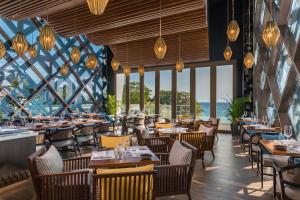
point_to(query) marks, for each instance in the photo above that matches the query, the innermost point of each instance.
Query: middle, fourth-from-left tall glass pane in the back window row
(165, 94)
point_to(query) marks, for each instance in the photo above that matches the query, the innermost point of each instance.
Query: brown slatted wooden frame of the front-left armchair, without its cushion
(72, 183)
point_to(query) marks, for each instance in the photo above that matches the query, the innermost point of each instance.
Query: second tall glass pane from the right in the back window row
(203, 92)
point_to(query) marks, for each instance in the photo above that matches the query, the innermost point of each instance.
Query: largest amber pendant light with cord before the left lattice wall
(47, 35)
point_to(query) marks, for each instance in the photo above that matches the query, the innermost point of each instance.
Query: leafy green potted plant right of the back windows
(235, 111)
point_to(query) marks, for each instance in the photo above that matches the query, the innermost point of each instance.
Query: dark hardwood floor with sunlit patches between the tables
(227, 177)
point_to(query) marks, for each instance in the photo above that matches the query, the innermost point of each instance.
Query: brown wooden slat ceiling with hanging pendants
(132, 23)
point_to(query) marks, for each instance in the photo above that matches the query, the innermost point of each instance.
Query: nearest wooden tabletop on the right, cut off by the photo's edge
(269, 145)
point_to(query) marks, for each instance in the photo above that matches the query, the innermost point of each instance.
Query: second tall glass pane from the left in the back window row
(134, 93)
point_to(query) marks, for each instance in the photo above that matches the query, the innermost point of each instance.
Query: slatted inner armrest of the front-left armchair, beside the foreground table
(76, 163)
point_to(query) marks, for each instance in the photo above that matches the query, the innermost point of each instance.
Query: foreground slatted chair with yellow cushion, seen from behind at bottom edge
(136, 183)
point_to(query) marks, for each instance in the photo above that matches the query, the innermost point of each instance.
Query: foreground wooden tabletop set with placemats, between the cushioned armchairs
(109, 158)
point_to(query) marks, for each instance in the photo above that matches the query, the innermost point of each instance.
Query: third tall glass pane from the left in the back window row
(149, 92)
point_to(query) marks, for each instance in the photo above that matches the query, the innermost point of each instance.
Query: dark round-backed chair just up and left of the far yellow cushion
(84, 134)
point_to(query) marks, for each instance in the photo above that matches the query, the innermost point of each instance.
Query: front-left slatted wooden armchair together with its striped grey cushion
(55, 179)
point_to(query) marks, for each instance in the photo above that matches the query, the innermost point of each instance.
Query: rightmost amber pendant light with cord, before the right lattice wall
(271, 32)
